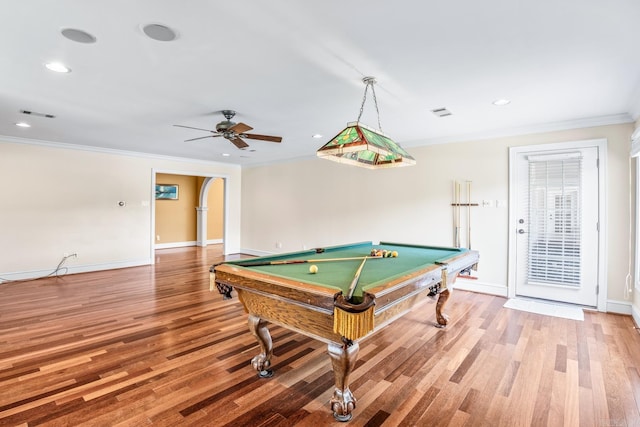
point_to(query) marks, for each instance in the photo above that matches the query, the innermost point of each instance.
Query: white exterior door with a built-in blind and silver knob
(556, 225)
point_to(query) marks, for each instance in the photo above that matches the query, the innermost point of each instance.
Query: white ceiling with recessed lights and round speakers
(295, 68)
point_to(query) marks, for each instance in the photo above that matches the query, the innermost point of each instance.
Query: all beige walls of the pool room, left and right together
(63, 201)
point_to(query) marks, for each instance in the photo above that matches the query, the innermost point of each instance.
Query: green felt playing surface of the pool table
(339, 274)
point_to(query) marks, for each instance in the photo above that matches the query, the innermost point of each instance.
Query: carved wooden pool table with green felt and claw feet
(282, 290)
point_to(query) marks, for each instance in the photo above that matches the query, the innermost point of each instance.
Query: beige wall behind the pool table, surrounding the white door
(316, 203)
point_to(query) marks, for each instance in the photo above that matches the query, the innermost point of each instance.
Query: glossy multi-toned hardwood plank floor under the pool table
(152, 346)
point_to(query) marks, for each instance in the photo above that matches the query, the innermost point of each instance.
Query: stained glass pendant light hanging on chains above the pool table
(360, 145)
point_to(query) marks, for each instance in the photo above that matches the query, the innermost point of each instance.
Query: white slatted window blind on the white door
(555, 219)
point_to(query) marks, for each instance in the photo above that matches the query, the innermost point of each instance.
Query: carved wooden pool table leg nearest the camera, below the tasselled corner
(343, 360)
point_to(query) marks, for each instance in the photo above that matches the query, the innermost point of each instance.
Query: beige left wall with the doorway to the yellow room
(58, 200)
